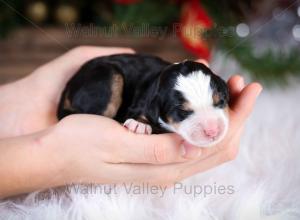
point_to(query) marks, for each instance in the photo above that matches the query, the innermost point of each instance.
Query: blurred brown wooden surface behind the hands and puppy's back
(26, 49)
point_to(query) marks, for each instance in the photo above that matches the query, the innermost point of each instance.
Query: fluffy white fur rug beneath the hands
(263, 183)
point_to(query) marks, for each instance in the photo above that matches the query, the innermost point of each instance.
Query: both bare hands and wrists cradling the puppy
(37, 152)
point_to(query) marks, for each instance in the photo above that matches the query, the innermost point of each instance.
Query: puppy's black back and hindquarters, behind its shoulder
(105, 85)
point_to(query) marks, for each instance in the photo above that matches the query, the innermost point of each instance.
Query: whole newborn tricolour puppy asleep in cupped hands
(149, 95)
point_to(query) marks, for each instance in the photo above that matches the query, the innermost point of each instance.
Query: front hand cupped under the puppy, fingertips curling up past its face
(99, 150)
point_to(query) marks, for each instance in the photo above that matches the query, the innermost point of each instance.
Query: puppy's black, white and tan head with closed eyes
(192, 101)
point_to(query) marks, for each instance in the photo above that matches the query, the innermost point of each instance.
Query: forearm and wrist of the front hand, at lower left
(27, 165)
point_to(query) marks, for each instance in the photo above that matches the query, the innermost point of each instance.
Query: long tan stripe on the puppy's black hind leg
(116, 96)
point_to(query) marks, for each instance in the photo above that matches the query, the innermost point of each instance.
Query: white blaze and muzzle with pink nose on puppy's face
(208, 124)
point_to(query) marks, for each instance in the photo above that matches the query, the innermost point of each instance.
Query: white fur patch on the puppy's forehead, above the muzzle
(195, 87)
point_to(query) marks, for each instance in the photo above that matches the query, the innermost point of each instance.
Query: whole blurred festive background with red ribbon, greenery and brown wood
(260, 38)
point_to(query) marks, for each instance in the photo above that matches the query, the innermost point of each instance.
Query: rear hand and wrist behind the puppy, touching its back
(29, 105)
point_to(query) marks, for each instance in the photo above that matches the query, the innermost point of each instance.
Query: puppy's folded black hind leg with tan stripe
(95, 89)
